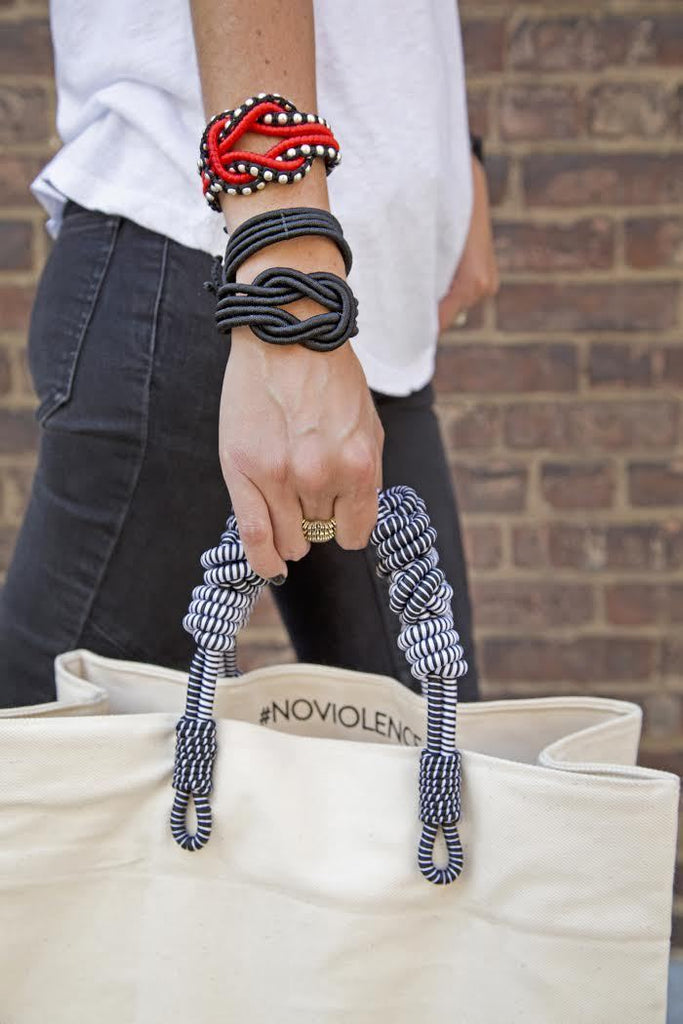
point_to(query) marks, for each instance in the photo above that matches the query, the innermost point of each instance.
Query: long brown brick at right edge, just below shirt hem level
(603, 425)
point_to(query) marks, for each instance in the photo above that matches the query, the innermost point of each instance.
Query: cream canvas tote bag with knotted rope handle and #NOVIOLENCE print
(296, 883)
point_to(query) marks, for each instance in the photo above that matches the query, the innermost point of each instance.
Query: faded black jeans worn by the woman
(129, 492)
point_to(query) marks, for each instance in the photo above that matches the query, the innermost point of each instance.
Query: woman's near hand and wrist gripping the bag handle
(300, 434)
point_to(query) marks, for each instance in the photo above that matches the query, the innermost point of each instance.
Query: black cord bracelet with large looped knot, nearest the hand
(258, 307)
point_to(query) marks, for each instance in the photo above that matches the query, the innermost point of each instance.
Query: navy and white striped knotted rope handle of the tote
(421, 598)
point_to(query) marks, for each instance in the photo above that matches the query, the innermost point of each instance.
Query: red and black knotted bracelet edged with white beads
(224, 167)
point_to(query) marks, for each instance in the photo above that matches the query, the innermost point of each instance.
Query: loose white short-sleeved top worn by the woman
(391, 82)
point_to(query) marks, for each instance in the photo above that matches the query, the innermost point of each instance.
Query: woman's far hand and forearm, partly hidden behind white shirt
(477, 277)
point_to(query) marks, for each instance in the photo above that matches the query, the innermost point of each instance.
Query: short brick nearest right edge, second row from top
(617, 110)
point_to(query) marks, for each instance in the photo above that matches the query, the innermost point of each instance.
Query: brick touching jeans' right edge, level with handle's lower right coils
(534, 605)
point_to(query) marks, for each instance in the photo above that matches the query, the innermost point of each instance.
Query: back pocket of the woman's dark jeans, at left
(66, 300)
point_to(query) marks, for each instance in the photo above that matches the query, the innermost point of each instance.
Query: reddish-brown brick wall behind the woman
(561, 402)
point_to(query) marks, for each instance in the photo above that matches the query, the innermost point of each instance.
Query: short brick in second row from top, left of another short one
(539, 112)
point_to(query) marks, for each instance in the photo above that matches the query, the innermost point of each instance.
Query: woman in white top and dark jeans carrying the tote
(129, 365)
